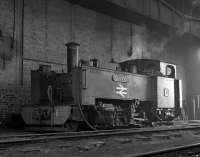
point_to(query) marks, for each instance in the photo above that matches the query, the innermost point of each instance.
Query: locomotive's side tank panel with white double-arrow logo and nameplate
(108, 84)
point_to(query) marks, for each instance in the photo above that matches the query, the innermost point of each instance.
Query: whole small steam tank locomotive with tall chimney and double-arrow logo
(143, 91)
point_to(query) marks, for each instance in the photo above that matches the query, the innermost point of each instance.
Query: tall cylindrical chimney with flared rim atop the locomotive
(72, 55)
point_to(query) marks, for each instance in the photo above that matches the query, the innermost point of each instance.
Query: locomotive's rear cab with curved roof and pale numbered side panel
(166, 89)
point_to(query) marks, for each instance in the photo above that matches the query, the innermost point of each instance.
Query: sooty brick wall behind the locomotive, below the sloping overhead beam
(49, 24)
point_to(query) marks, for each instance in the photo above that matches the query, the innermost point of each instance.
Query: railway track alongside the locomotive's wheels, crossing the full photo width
(42, 137)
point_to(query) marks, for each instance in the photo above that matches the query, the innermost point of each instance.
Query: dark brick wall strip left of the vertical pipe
(10, 95)
